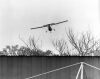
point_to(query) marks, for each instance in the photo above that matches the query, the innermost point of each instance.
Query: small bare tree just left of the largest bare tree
(61, 46)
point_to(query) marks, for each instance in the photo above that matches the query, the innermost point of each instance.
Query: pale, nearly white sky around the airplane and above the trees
(18, 16)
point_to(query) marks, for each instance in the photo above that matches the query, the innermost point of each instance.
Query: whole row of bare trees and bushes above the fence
(84, 45)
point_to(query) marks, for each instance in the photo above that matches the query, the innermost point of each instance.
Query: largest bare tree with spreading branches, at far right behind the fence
(86, 45)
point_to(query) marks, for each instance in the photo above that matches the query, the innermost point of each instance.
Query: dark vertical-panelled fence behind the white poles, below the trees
(25, 67)
